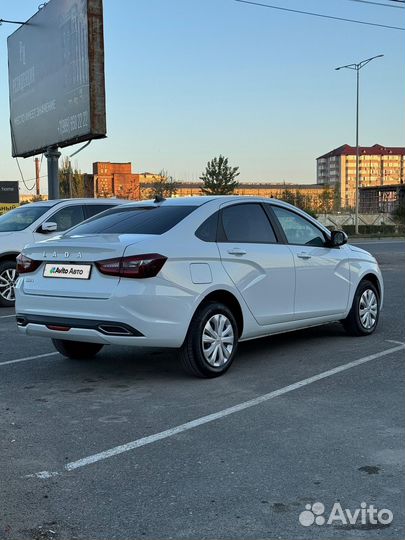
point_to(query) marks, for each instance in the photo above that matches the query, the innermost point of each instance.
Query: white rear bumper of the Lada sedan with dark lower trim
(135, 316)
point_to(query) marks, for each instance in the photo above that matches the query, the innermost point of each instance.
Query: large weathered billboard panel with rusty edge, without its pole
(56, 77)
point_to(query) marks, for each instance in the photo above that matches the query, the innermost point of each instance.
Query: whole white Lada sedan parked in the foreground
(199, 274)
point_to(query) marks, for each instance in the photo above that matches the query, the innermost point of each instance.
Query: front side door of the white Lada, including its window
(322, 272)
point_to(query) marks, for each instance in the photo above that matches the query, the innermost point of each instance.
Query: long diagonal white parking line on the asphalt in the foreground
(212, 417)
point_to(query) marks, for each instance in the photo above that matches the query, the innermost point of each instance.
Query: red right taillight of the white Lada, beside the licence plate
(134, 266)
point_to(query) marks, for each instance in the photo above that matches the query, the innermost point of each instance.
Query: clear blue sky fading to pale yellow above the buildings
(190, 79)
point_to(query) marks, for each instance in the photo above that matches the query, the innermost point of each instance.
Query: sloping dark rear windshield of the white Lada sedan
(134, 220)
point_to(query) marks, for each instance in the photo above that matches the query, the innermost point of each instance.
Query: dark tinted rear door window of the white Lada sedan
(247, 223)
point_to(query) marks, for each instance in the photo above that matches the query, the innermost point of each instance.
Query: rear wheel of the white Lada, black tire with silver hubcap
(211, 342)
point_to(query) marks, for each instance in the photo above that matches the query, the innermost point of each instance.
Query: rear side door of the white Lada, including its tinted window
(261, 268)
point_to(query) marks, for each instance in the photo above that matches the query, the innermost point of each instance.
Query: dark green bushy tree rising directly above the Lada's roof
(219, 177)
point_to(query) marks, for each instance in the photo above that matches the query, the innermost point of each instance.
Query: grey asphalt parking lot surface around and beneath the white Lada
(318, 417)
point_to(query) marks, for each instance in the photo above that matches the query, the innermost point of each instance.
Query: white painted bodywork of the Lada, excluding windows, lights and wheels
(276, 291)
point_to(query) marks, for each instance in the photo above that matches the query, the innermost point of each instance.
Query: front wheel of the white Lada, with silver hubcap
(363, 316)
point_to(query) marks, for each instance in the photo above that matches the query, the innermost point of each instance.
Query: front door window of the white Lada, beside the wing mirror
(297, 229)
